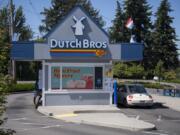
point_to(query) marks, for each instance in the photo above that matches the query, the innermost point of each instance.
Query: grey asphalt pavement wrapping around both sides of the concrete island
(25, 120)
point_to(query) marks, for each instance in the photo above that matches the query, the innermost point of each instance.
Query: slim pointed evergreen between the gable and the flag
(117, 31)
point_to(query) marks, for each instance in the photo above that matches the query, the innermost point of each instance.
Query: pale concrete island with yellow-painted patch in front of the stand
(99, 115)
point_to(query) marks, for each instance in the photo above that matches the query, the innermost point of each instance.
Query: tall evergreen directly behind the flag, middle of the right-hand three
(140, 12)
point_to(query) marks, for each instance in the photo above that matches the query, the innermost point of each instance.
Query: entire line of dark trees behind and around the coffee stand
(159, 38)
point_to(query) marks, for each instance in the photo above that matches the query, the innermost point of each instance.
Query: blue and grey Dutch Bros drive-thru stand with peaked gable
(76, 61)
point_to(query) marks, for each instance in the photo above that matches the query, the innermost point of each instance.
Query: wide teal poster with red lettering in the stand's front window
(77, 77)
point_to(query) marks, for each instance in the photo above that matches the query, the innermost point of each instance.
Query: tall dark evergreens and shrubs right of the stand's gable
(159, 38)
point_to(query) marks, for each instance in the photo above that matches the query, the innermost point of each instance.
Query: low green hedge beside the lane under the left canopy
(23, 87)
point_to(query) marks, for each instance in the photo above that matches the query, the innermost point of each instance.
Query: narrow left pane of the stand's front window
(55, 77)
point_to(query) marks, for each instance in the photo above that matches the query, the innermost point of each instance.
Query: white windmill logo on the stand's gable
(79, 27)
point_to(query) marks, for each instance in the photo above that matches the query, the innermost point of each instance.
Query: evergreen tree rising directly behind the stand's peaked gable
(60, 8)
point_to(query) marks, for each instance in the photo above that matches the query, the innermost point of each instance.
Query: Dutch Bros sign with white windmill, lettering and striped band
(98, 48)
